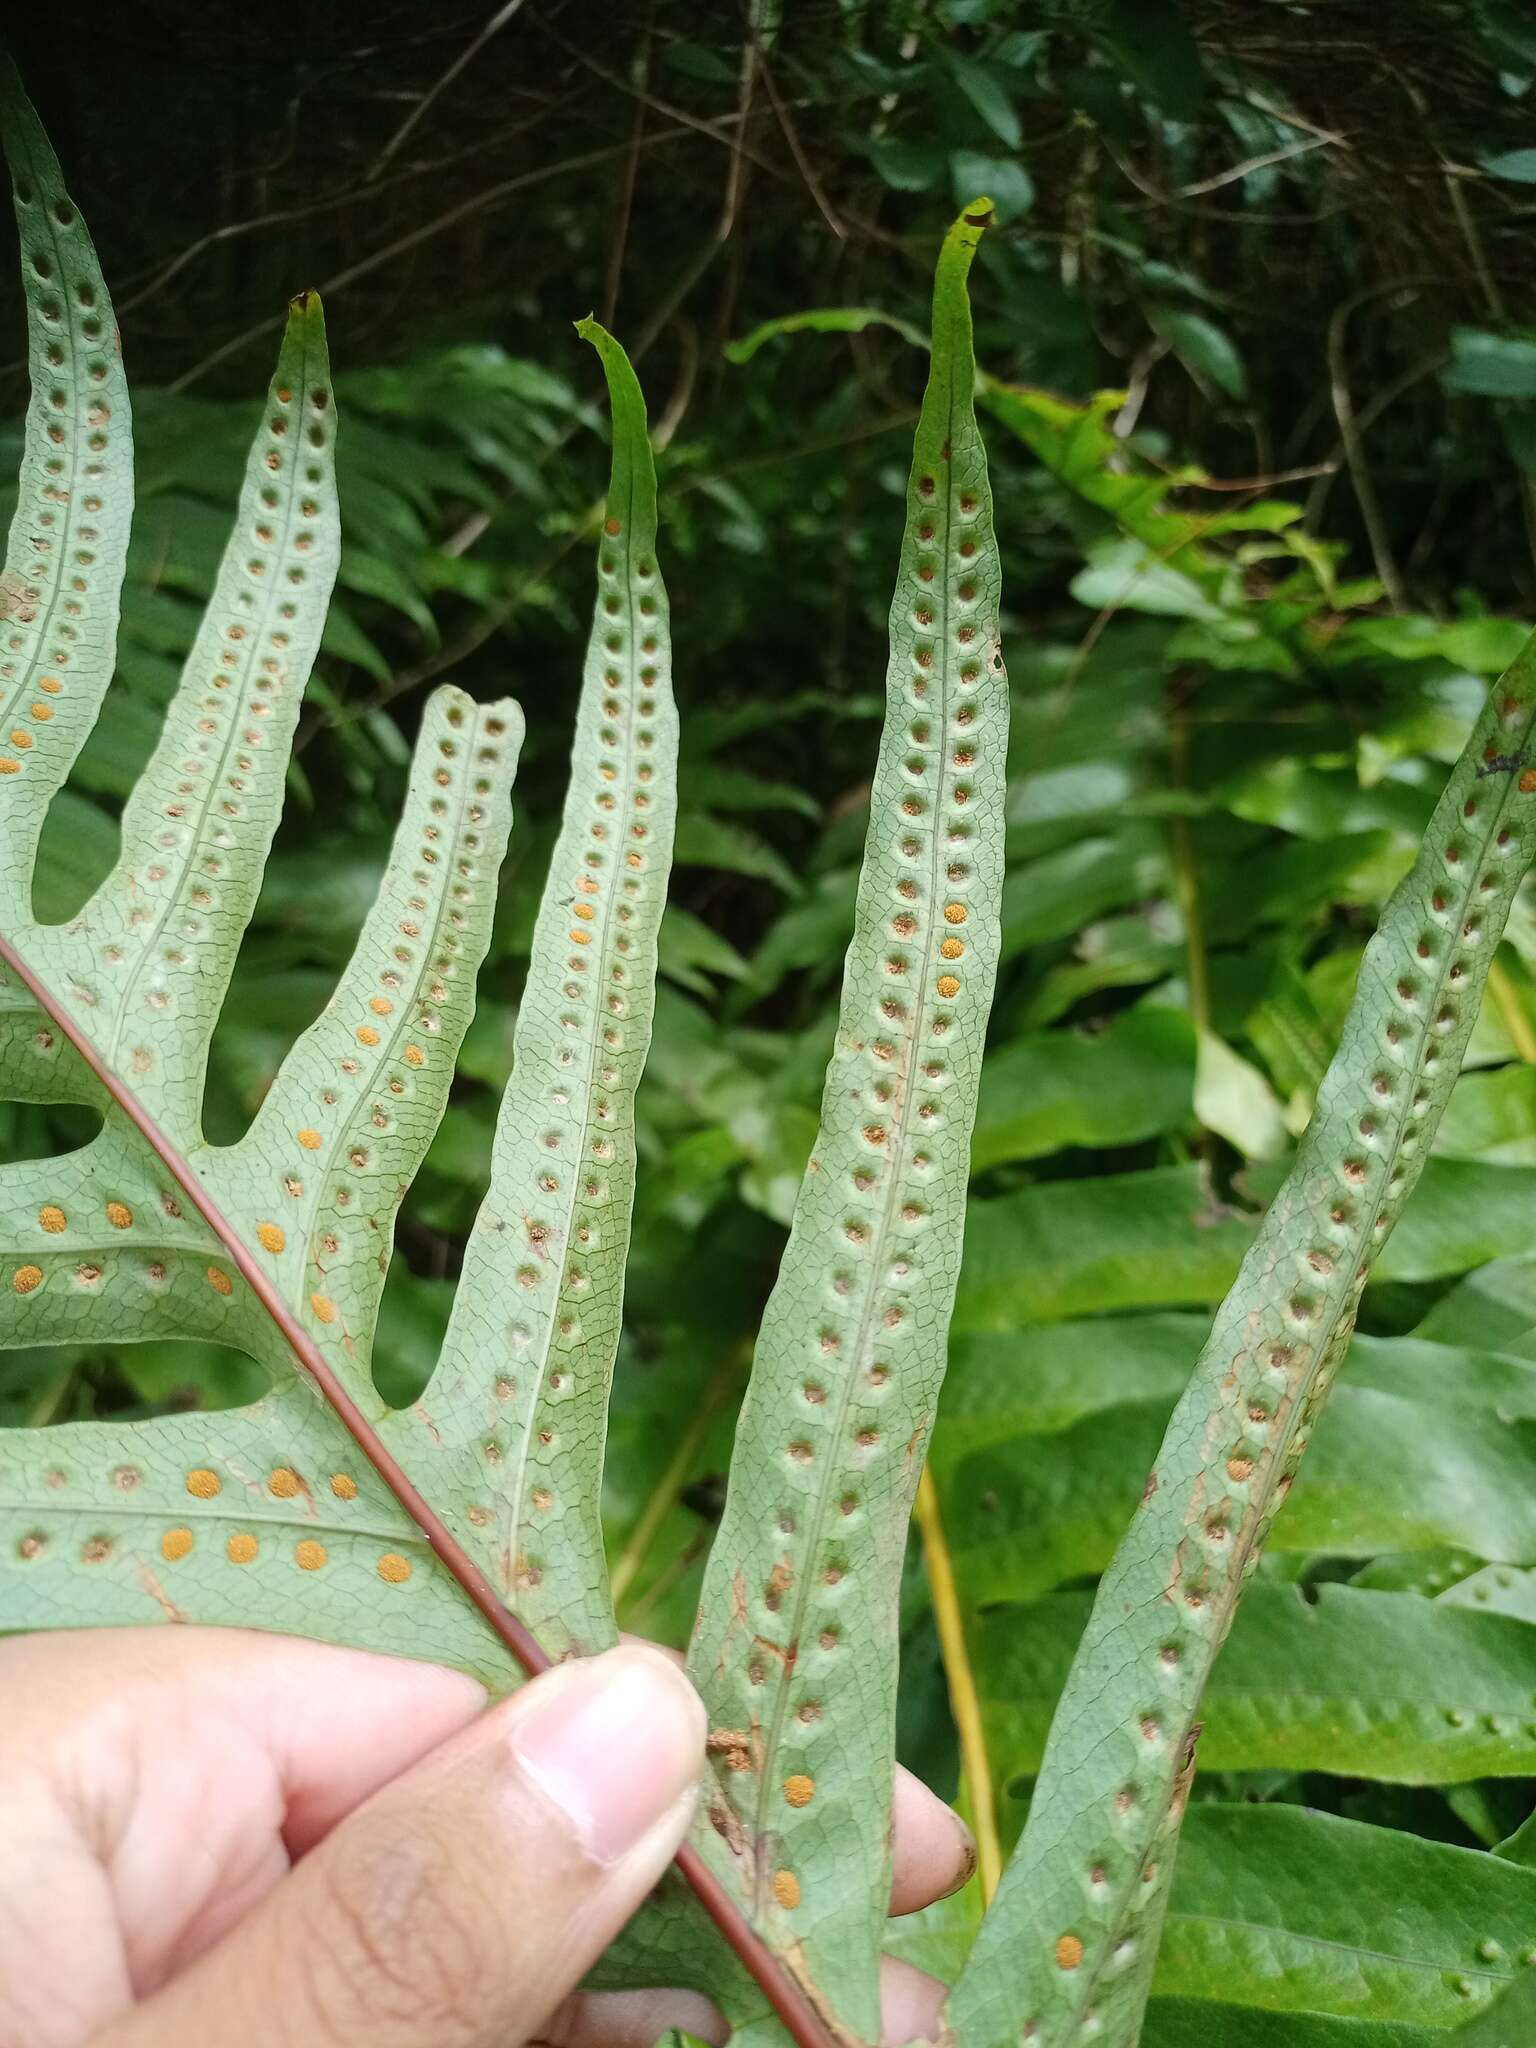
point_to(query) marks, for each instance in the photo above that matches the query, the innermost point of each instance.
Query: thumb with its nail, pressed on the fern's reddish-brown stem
(462, 1904)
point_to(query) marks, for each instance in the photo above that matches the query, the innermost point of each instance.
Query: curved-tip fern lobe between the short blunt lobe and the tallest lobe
(509, 1435)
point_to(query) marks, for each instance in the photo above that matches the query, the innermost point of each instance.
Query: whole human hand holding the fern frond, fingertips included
(216, 1836)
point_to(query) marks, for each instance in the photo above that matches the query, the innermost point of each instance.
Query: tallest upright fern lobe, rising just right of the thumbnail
(796, 1641)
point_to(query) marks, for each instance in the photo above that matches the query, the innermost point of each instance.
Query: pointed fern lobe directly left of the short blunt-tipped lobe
(146, 962)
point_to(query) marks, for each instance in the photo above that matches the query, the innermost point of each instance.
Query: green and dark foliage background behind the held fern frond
(1252, 605)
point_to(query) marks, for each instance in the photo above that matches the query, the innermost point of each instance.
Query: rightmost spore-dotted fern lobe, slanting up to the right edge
(1072, 1938)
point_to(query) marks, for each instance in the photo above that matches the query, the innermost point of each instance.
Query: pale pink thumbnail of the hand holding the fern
(615, 1742)
